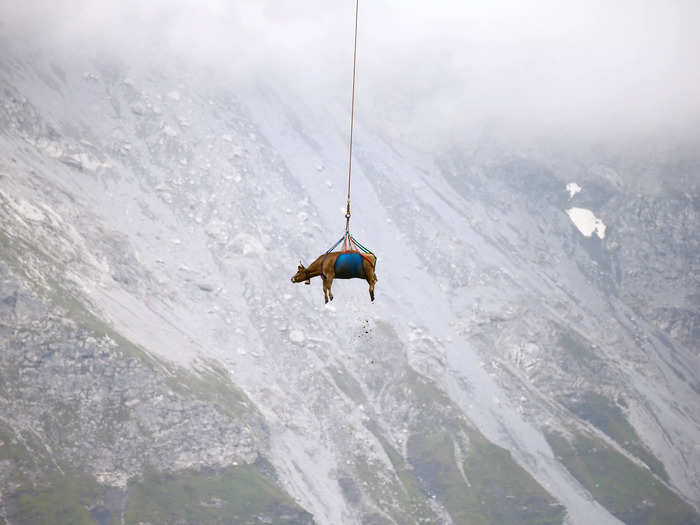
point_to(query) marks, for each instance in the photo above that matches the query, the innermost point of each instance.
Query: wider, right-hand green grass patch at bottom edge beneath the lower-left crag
(235, 495)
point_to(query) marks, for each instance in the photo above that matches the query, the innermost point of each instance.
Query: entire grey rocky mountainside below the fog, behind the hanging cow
(158, 366)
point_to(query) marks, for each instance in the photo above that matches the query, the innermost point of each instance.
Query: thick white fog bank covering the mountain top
(587, 70)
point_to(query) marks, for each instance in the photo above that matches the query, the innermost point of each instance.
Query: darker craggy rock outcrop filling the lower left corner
(86, 415)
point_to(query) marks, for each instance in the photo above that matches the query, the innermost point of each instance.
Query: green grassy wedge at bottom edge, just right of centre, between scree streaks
(496, 489)
